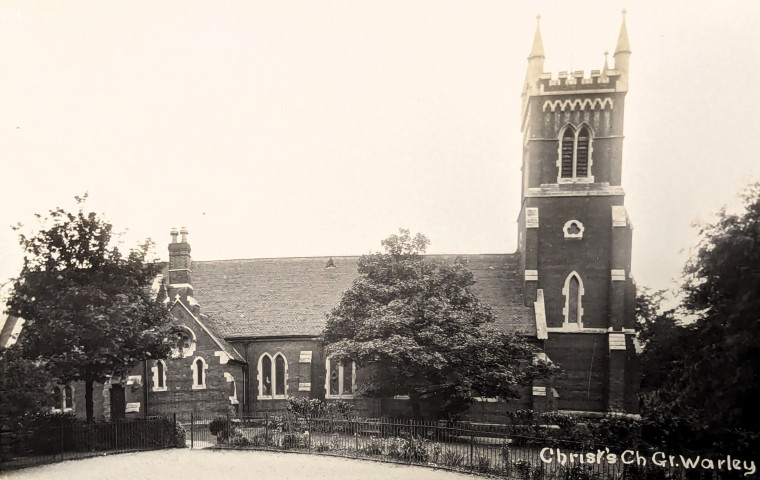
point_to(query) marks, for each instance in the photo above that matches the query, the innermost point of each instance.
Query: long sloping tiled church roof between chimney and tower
(277, 297)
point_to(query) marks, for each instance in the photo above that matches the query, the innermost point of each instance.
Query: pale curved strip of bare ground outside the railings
(184, 464)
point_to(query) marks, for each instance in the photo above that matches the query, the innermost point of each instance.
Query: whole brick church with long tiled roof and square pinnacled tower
(248, 331)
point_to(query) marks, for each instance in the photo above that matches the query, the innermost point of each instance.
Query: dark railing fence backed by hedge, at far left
(64, 439)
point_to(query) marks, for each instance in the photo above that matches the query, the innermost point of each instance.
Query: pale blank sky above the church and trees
(284, 128)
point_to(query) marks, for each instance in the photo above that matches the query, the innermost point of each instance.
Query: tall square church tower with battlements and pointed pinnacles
(574, 232)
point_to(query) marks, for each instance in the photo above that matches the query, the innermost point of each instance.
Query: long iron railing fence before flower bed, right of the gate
(479, 448)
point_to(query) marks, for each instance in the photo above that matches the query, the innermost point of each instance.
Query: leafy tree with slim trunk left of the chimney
(88, 308)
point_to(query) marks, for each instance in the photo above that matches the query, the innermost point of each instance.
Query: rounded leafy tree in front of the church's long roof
(418, 326)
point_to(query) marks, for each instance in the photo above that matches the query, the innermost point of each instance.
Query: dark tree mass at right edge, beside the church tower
(701, 362)
